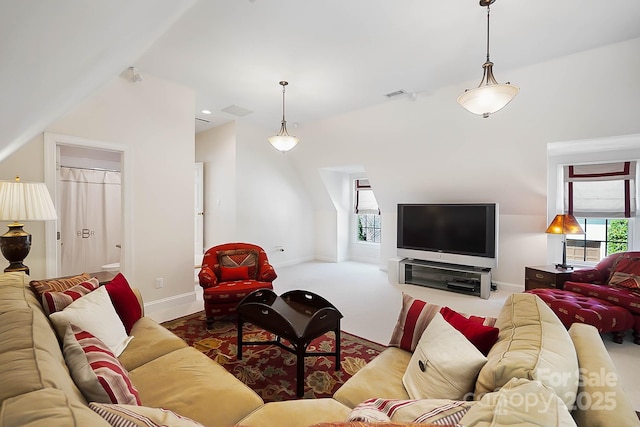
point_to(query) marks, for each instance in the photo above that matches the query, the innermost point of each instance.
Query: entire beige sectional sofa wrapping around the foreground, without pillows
(532, 357)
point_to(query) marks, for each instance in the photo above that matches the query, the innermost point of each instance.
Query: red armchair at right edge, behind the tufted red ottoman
(616, 280)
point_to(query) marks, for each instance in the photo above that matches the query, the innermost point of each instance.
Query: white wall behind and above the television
(431, 149)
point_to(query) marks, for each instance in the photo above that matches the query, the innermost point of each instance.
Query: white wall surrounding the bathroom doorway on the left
(154, 120)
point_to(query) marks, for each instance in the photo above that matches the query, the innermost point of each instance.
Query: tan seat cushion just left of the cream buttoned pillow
(382, 377)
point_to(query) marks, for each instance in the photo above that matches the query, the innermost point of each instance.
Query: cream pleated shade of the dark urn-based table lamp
(25, 201)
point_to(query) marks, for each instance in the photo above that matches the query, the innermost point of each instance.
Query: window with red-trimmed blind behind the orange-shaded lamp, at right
(600, 195)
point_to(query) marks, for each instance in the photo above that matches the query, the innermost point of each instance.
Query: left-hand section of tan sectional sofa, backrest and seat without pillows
(36, 388)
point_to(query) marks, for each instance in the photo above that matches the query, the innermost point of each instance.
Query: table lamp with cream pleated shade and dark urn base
(22, 201)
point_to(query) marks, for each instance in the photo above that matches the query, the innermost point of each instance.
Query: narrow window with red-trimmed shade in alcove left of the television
(368, 224)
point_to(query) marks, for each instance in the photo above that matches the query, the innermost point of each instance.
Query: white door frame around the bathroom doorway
(52, 252)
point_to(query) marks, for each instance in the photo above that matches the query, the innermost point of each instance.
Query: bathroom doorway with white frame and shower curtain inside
(87, 180)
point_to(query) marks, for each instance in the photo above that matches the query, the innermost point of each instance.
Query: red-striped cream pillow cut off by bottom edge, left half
(140, 416)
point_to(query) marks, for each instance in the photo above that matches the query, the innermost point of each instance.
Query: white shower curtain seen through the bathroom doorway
(90, 219)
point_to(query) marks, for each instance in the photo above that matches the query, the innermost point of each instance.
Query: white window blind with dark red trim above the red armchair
(605, 190)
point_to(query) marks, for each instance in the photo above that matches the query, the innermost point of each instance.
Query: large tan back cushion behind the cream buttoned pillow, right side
(532, 344)
